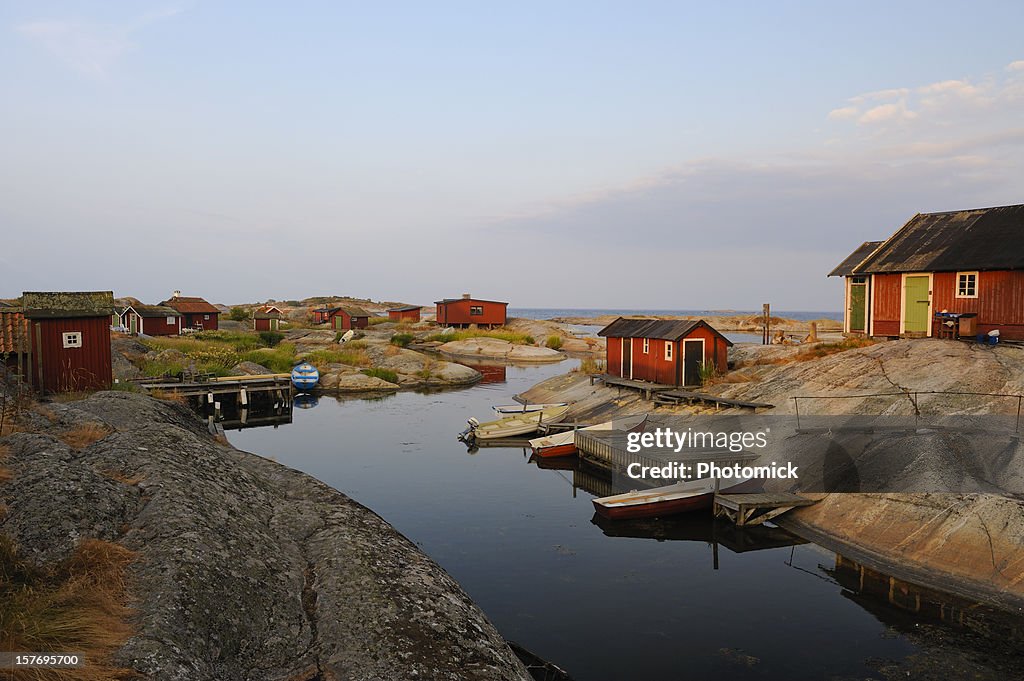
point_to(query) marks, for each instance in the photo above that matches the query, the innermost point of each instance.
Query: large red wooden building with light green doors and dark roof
(967, 263)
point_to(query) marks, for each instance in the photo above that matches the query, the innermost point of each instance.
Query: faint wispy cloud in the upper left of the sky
(91, 49)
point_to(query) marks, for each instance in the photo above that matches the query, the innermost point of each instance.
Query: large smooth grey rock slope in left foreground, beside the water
(247, 570)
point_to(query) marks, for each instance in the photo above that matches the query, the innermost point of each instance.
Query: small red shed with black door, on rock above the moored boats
(667, 352)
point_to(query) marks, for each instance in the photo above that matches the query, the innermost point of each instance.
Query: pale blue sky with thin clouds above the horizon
(642, 155)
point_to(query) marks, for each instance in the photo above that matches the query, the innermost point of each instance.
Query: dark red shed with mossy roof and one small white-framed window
(70, 340)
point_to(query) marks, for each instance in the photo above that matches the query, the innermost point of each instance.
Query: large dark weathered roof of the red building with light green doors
(978, 239)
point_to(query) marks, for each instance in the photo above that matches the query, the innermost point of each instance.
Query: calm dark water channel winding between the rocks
(668, 600)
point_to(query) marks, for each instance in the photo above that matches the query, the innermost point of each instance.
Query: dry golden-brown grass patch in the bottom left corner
(80, 606)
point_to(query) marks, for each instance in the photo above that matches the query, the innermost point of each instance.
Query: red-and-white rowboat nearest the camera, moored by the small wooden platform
(682, 497)
